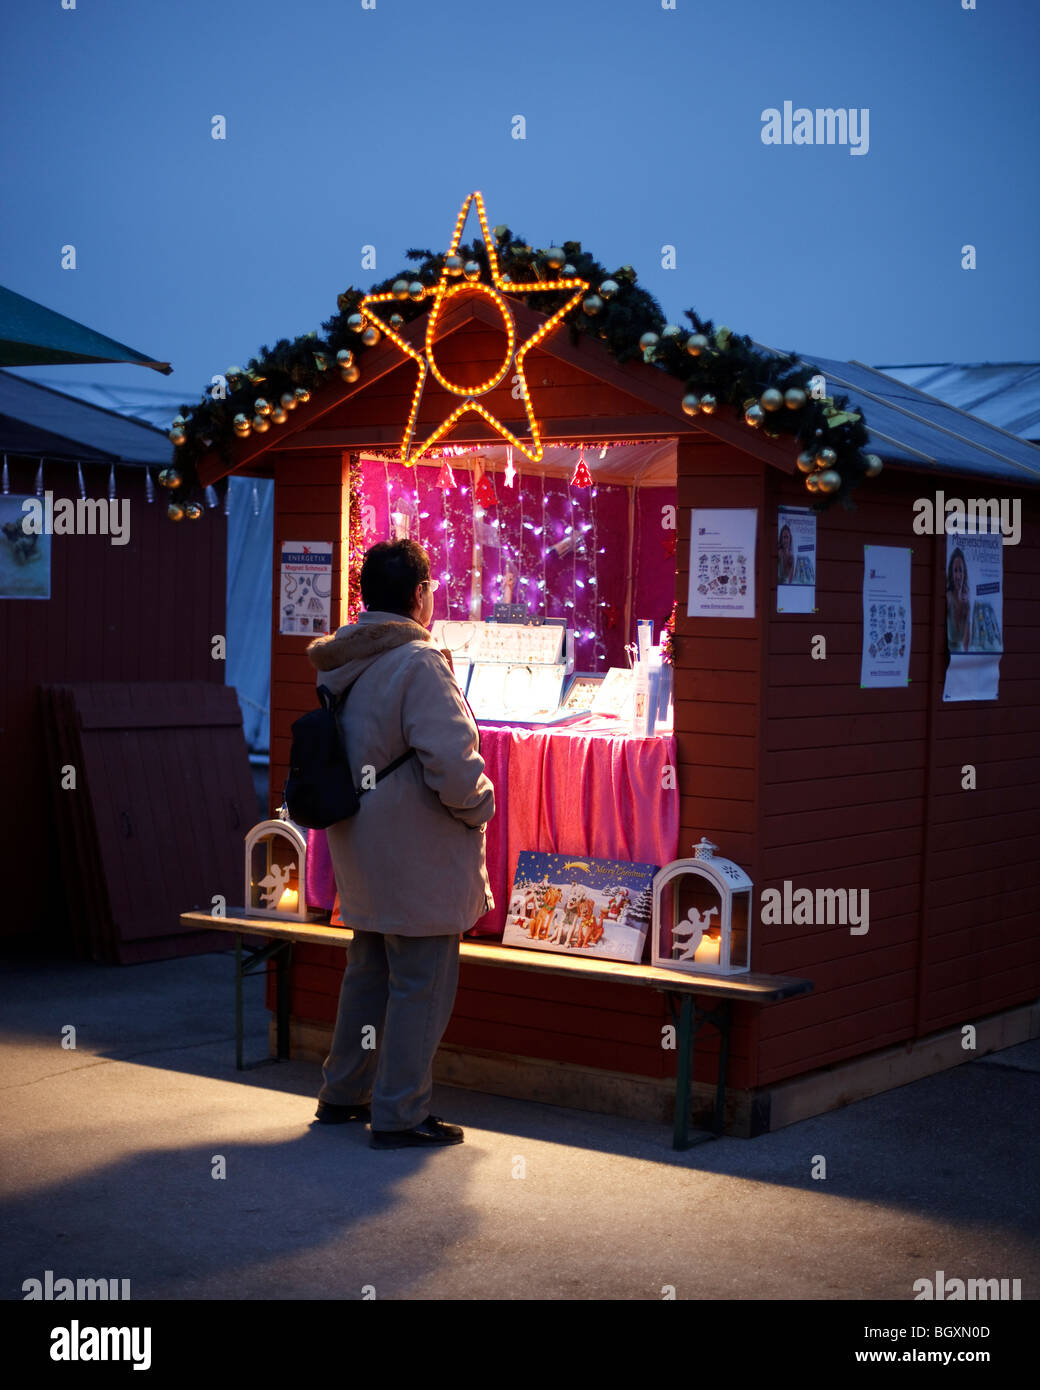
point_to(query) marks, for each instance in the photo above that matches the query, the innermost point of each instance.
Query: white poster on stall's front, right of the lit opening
(722, 562)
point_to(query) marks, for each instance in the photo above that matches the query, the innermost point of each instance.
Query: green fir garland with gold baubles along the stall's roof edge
(726, 368)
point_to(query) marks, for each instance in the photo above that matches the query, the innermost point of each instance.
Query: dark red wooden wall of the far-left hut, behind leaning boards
(144, 611)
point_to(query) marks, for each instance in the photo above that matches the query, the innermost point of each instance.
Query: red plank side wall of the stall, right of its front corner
(863, 790)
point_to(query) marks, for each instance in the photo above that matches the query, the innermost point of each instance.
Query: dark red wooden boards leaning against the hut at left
(152, 799)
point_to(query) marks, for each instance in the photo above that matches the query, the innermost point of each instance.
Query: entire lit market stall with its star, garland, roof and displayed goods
(571, 459)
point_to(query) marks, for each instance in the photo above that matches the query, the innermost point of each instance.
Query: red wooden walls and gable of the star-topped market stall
(785, 761)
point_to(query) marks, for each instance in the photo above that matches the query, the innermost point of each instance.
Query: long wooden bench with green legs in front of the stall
(679, 989)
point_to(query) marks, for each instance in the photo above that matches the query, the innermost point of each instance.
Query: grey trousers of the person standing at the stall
(398, 995)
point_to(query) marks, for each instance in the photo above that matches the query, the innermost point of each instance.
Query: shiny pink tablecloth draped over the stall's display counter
(565, 790)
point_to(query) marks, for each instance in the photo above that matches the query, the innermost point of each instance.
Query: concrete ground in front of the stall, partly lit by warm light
(109, 1154)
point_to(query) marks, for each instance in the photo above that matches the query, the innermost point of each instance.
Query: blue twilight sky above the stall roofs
(351, 126)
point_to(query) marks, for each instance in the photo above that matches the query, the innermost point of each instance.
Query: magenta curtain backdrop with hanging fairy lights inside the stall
(533, 516)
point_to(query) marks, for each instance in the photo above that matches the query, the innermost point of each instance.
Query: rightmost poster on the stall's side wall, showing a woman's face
(974, 615)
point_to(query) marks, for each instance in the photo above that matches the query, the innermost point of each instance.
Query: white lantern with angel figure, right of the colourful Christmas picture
(703, 915)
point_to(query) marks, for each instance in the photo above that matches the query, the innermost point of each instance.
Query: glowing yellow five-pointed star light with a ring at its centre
(446, 288)
